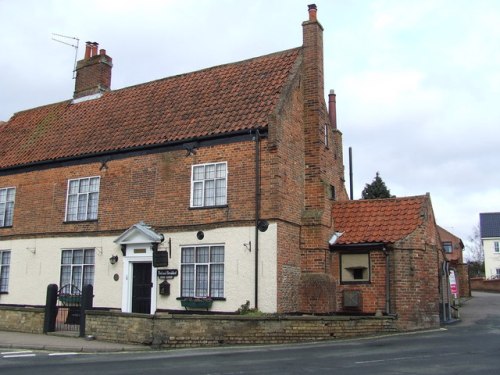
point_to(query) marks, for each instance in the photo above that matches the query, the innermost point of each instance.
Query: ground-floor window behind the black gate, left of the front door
(78, 265)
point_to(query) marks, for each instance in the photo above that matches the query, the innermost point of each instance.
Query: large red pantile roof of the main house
(211, 102)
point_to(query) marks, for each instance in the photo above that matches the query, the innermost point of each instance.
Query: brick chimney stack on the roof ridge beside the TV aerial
(93, 73)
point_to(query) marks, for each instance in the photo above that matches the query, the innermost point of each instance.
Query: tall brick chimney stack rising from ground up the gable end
(322, 178)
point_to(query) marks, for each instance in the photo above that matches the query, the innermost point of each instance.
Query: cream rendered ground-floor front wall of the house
(35, 263)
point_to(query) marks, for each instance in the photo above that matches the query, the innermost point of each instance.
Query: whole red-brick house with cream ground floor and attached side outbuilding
(230, 180)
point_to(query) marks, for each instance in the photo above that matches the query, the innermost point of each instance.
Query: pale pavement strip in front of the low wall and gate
(62, 343)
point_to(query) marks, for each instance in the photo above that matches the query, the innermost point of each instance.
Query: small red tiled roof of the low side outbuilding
(377, 220)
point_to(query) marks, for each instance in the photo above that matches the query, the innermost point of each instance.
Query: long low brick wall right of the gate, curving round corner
(179, 331)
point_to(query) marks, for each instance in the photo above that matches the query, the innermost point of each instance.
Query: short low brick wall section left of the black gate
(22, 319)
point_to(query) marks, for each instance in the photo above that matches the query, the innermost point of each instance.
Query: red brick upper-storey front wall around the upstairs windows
(154, 188)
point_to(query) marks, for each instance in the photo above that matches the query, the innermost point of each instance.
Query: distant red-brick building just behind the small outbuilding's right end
(459, 271)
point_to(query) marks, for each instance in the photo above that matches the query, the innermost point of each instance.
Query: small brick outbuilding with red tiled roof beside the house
(389, 259)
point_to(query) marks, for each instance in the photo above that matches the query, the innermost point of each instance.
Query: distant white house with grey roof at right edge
(489, 226)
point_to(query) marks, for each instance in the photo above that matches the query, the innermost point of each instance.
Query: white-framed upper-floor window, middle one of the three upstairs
(87, 216)
